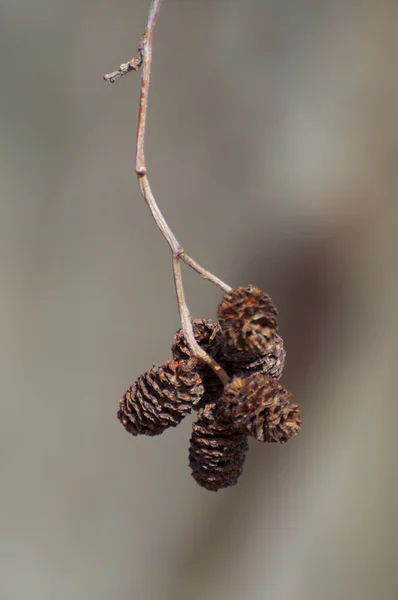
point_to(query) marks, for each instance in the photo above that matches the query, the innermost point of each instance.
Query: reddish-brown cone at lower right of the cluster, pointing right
(259, 406)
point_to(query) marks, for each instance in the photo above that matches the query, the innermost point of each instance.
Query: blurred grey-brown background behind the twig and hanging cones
(272, 149)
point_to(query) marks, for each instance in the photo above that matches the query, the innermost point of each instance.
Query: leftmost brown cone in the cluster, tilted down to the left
(161, 397)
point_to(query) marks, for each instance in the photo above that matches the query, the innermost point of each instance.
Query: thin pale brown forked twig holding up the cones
(143, 58)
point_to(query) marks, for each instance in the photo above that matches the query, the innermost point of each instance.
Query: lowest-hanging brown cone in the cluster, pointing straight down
(217, 453)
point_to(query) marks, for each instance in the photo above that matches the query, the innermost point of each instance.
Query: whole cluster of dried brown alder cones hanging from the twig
(245, 342)
